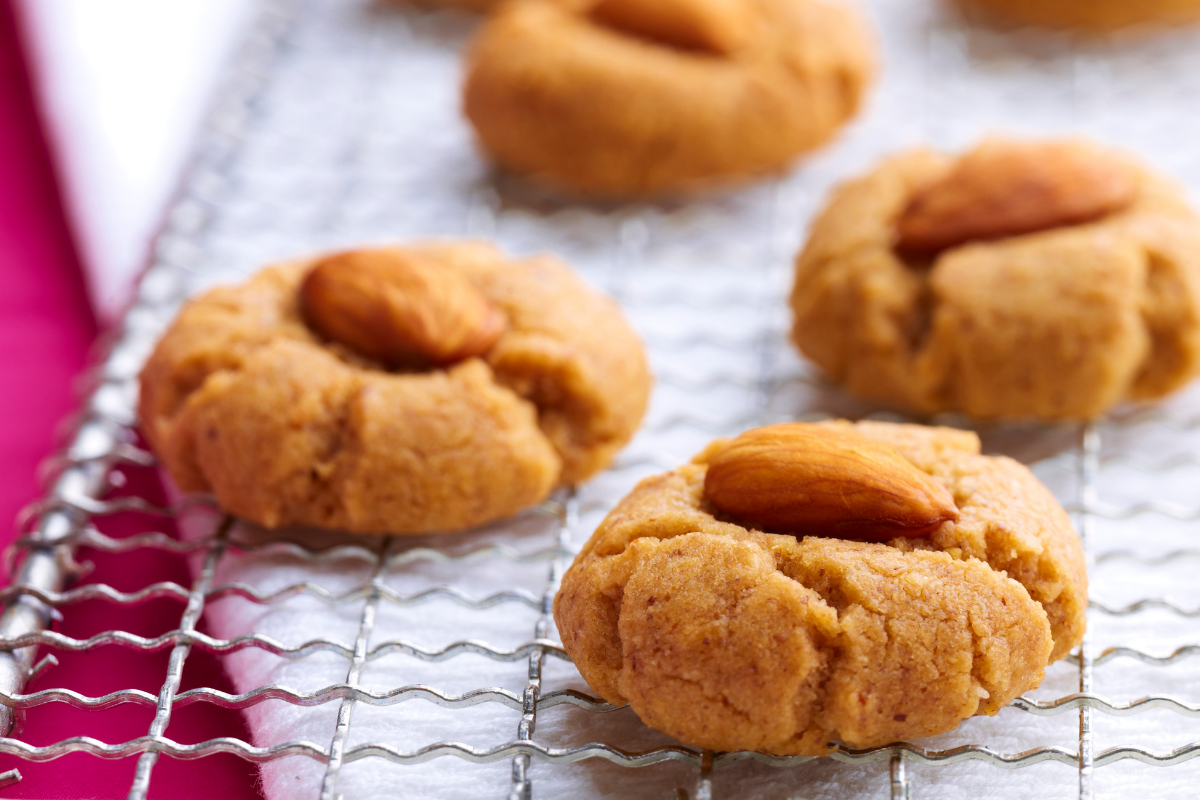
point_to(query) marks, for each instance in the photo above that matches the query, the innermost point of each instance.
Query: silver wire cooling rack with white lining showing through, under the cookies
(339, 125)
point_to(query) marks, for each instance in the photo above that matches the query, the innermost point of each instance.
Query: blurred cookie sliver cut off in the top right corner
(1091, 15)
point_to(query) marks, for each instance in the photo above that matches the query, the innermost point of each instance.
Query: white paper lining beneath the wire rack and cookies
(361, 140)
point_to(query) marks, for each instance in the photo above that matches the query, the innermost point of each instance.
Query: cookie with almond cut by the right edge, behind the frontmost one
(1045, 280)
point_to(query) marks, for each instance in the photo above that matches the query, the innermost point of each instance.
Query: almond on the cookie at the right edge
(1007, 189)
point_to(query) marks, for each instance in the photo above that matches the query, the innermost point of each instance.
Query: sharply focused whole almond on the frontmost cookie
(811, 480)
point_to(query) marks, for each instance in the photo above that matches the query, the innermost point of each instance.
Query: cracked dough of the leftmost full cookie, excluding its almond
(242, 399)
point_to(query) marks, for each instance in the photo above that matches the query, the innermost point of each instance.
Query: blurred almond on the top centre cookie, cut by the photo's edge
(719, 27)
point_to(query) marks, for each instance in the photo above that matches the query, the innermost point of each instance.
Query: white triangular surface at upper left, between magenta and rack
(123, 87)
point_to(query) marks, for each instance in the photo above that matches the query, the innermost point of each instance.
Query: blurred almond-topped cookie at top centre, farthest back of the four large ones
(626, 98)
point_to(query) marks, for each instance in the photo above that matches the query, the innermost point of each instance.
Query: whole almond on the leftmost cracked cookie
(400, 308)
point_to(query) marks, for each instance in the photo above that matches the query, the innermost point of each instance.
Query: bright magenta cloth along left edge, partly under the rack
(46, 329)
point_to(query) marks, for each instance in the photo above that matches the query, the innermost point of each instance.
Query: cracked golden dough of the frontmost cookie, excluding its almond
(731, 639)
